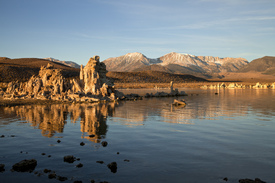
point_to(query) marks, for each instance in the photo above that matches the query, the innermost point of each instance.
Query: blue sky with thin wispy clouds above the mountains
(76, 30)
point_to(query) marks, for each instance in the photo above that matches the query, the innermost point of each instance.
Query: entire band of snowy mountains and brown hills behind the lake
(136, 66)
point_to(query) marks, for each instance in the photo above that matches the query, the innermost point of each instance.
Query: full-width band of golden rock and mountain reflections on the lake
(201, 104)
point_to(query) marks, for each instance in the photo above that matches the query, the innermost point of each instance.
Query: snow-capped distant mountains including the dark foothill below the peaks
(175, 63)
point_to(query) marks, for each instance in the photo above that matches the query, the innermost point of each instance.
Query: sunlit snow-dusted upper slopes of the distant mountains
(132, 61)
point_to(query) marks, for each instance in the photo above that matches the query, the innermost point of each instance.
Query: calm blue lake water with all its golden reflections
(230, 135)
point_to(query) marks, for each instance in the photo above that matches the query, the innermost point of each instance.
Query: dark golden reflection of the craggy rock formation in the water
(51, 119)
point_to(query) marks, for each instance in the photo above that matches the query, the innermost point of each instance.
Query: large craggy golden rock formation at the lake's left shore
(92, 85)
